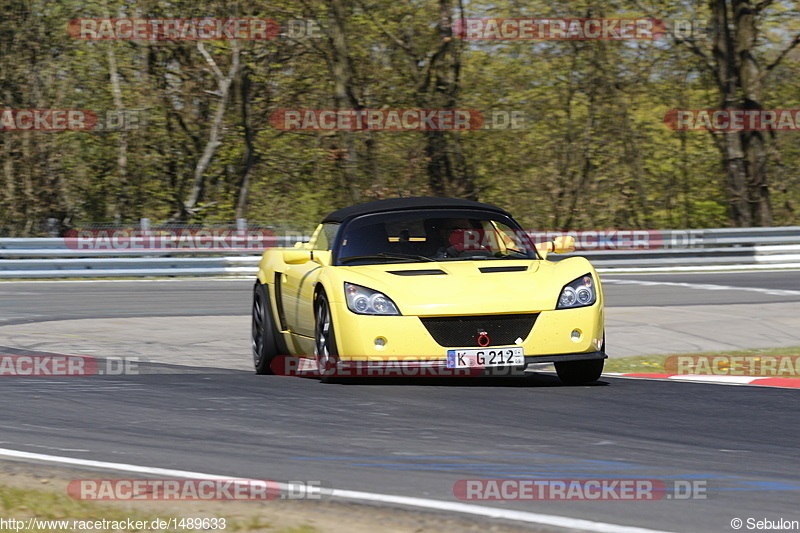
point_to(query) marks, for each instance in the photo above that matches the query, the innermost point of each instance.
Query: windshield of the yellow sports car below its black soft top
(432, 235)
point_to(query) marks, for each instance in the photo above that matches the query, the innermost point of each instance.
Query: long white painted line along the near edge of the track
(489, 512)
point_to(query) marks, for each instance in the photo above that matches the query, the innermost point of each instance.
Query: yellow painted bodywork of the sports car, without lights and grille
(462, 290)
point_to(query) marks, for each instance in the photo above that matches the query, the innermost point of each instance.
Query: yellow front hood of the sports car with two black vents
(465, 287)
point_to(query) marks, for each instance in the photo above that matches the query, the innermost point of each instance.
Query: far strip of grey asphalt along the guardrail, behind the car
(35, 301)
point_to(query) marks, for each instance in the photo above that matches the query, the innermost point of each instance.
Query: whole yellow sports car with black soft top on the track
(439, 285)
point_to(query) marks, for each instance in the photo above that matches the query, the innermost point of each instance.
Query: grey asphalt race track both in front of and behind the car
(418, 439)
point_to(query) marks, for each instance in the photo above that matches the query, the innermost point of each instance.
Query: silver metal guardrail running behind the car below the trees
(711, 249)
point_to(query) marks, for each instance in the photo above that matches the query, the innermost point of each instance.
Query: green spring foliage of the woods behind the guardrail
(595, 152)
